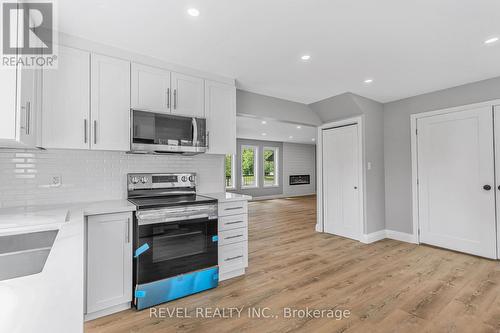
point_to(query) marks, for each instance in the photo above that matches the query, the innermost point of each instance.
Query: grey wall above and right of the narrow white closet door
(350, 105)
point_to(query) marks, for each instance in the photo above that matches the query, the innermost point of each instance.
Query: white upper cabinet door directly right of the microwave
(220, 110)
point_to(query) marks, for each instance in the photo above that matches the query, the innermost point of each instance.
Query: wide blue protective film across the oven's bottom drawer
(162, 291)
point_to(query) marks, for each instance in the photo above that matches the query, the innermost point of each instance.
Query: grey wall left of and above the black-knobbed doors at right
(398, 196)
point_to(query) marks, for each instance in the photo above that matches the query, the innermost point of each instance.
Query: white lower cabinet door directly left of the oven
(109, 261)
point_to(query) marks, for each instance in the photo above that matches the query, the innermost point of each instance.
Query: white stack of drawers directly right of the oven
(233, 239)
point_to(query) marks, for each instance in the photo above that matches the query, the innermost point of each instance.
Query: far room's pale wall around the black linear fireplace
(300, 159)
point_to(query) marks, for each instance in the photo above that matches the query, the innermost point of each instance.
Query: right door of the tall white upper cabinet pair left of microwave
(110, 109)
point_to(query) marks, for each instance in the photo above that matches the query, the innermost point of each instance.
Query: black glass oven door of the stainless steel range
(175, 247)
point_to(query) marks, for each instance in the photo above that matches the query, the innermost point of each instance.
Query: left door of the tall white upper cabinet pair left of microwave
(66, 101)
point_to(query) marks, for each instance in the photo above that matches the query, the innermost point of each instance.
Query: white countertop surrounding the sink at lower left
(52, 300)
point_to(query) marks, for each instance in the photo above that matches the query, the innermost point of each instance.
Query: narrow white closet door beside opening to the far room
(341, 181)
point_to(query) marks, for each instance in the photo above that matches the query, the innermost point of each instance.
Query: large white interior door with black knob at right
(456, 193)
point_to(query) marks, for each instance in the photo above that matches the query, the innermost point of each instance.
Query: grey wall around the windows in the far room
(261, 190)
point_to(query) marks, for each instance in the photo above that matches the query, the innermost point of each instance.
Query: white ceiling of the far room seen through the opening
(253, 128)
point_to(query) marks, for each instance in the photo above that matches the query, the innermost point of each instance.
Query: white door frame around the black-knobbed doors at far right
(414, 156)
